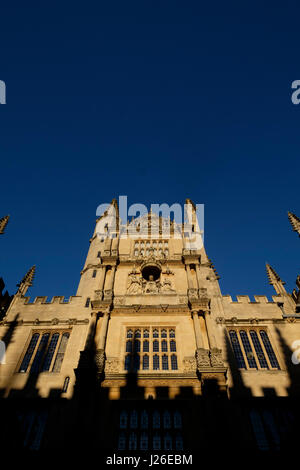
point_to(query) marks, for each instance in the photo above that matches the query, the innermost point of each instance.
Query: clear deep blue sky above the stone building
(157, 100)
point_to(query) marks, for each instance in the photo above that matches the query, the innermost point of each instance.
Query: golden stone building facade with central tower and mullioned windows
(214, 359)
